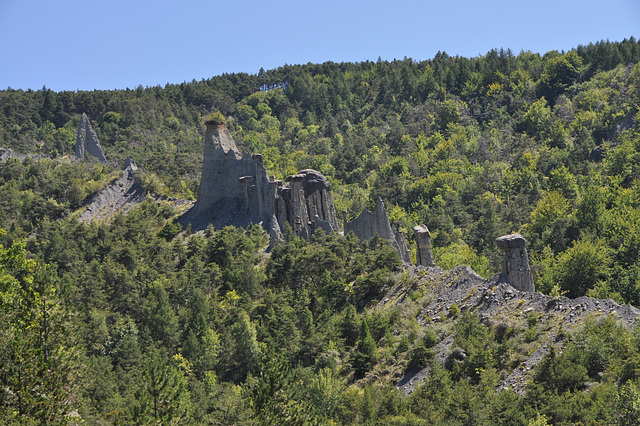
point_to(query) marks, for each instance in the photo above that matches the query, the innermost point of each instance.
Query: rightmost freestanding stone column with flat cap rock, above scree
(515, 267)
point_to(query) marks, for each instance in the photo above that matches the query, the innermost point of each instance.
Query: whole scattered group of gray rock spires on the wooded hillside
(236, 190)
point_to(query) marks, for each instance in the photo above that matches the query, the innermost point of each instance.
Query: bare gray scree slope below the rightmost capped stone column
(501, 305)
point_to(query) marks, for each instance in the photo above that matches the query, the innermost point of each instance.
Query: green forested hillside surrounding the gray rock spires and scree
(138, 320)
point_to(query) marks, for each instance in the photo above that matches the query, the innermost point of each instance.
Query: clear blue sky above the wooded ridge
(74, 45)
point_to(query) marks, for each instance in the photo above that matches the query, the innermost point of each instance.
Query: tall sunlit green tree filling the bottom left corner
(37, 357)
